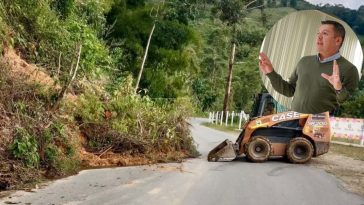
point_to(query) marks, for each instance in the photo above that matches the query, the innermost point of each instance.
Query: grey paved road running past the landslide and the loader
(196, 181)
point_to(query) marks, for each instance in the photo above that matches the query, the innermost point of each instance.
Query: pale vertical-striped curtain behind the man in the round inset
(293, 37)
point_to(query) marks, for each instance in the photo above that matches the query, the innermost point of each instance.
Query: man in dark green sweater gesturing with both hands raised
(321, 82)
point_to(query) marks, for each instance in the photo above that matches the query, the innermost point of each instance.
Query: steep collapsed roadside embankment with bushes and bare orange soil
(91, 129)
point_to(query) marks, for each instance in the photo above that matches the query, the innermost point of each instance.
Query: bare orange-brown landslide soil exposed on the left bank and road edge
(13, 175)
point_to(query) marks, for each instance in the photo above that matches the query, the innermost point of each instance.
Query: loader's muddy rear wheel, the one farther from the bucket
(299, 150)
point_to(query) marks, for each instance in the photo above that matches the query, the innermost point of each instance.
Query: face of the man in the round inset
(326, 41)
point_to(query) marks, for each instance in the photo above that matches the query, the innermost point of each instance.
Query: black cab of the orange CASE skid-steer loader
(265, 104)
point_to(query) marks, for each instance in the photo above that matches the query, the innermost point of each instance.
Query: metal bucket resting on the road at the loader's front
(223, 152)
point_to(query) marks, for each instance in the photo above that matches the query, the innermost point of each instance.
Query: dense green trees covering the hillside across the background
(189, 50)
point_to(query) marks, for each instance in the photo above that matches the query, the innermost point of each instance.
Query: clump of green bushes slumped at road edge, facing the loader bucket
(131, 123)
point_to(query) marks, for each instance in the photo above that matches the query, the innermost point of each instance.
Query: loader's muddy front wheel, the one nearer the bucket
(258, 149)
